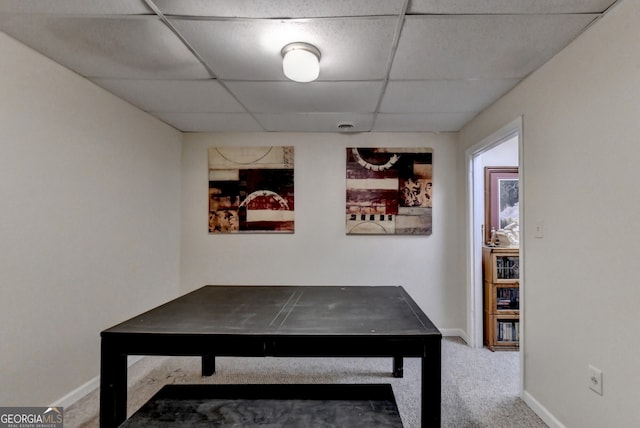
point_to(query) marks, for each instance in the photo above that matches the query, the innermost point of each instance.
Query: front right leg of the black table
(431, 386)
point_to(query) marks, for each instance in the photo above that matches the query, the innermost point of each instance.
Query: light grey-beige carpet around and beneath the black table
(480, 388)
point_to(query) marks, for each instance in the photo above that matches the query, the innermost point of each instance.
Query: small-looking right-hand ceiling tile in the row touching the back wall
(424, 122)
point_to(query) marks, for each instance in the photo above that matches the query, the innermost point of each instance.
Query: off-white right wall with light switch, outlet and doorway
(581, 124)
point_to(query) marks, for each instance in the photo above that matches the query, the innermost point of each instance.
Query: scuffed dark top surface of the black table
(285, 310)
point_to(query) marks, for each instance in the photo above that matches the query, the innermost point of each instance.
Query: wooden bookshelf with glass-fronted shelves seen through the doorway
(501, 269)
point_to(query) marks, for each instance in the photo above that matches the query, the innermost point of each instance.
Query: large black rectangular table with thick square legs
(279, 321)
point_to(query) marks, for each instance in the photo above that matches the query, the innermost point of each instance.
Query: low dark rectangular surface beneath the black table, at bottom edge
(306, 405)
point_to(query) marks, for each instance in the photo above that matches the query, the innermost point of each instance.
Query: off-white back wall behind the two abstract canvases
(319, 252)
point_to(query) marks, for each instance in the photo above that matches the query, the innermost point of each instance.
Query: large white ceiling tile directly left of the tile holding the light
(127, 47)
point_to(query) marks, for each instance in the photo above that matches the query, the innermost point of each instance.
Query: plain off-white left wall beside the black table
(89, 222)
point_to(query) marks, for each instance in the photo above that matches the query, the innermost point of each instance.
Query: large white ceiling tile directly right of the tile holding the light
(486, 46)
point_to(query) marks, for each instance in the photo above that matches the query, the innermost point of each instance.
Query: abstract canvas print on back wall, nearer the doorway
(389, 191)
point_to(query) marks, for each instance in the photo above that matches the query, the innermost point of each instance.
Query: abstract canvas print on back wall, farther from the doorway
(251, 190)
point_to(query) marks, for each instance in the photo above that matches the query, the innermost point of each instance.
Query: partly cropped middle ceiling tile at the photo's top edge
(279, 8)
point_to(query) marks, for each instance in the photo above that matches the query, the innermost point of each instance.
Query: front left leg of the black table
(113, 386)
